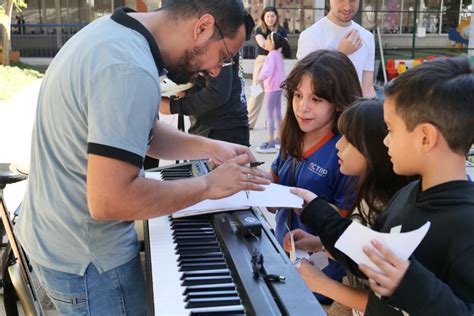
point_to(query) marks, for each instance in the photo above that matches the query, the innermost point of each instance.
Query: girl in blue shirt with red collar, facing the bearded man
(318, 89)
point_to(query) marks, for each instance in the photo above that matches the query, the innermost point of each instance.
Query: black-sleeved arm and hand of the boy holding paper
(410, 286)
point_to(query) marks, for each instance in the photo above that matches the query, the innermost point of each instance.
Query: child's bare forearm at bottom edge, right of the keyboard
(318, 282)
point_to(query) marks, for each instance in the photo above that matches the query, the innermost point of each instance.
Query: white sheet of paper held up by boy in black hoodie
(356, 236)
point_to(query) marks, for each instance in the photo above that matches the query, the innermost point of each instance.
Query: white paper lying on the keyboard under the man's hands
(274, 195)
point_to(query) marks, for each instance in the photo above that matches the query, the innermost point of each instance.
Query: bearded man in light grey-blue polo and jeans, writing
(96, 120)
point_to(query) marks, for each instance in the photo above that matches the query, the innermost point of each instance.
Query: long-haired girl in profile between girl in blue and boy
(363, 156)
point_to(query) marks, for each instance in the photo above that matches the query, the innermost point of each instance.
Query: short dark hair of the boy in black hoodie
(439, 92)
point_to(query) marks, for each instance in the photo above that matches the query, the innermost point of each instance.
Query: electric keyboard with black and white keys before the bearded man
(203, 265)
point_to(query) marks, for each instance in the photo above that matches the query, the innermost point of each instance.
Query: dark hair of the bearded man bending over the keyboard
(228, 14)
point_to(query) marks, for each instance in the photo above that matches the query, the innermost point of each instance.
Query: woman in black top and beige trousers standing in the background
(268, 23)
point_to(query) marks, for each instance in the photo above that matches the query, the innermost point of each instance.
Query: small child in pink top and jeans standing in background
(272, 75)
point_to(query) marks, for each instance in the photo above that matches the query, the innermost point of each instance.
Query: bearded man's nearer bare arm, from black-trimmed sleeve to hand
(115, 191)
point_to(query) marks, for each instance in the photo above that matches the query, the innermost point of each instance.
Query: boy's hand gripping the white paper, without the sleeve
(393, 268)
